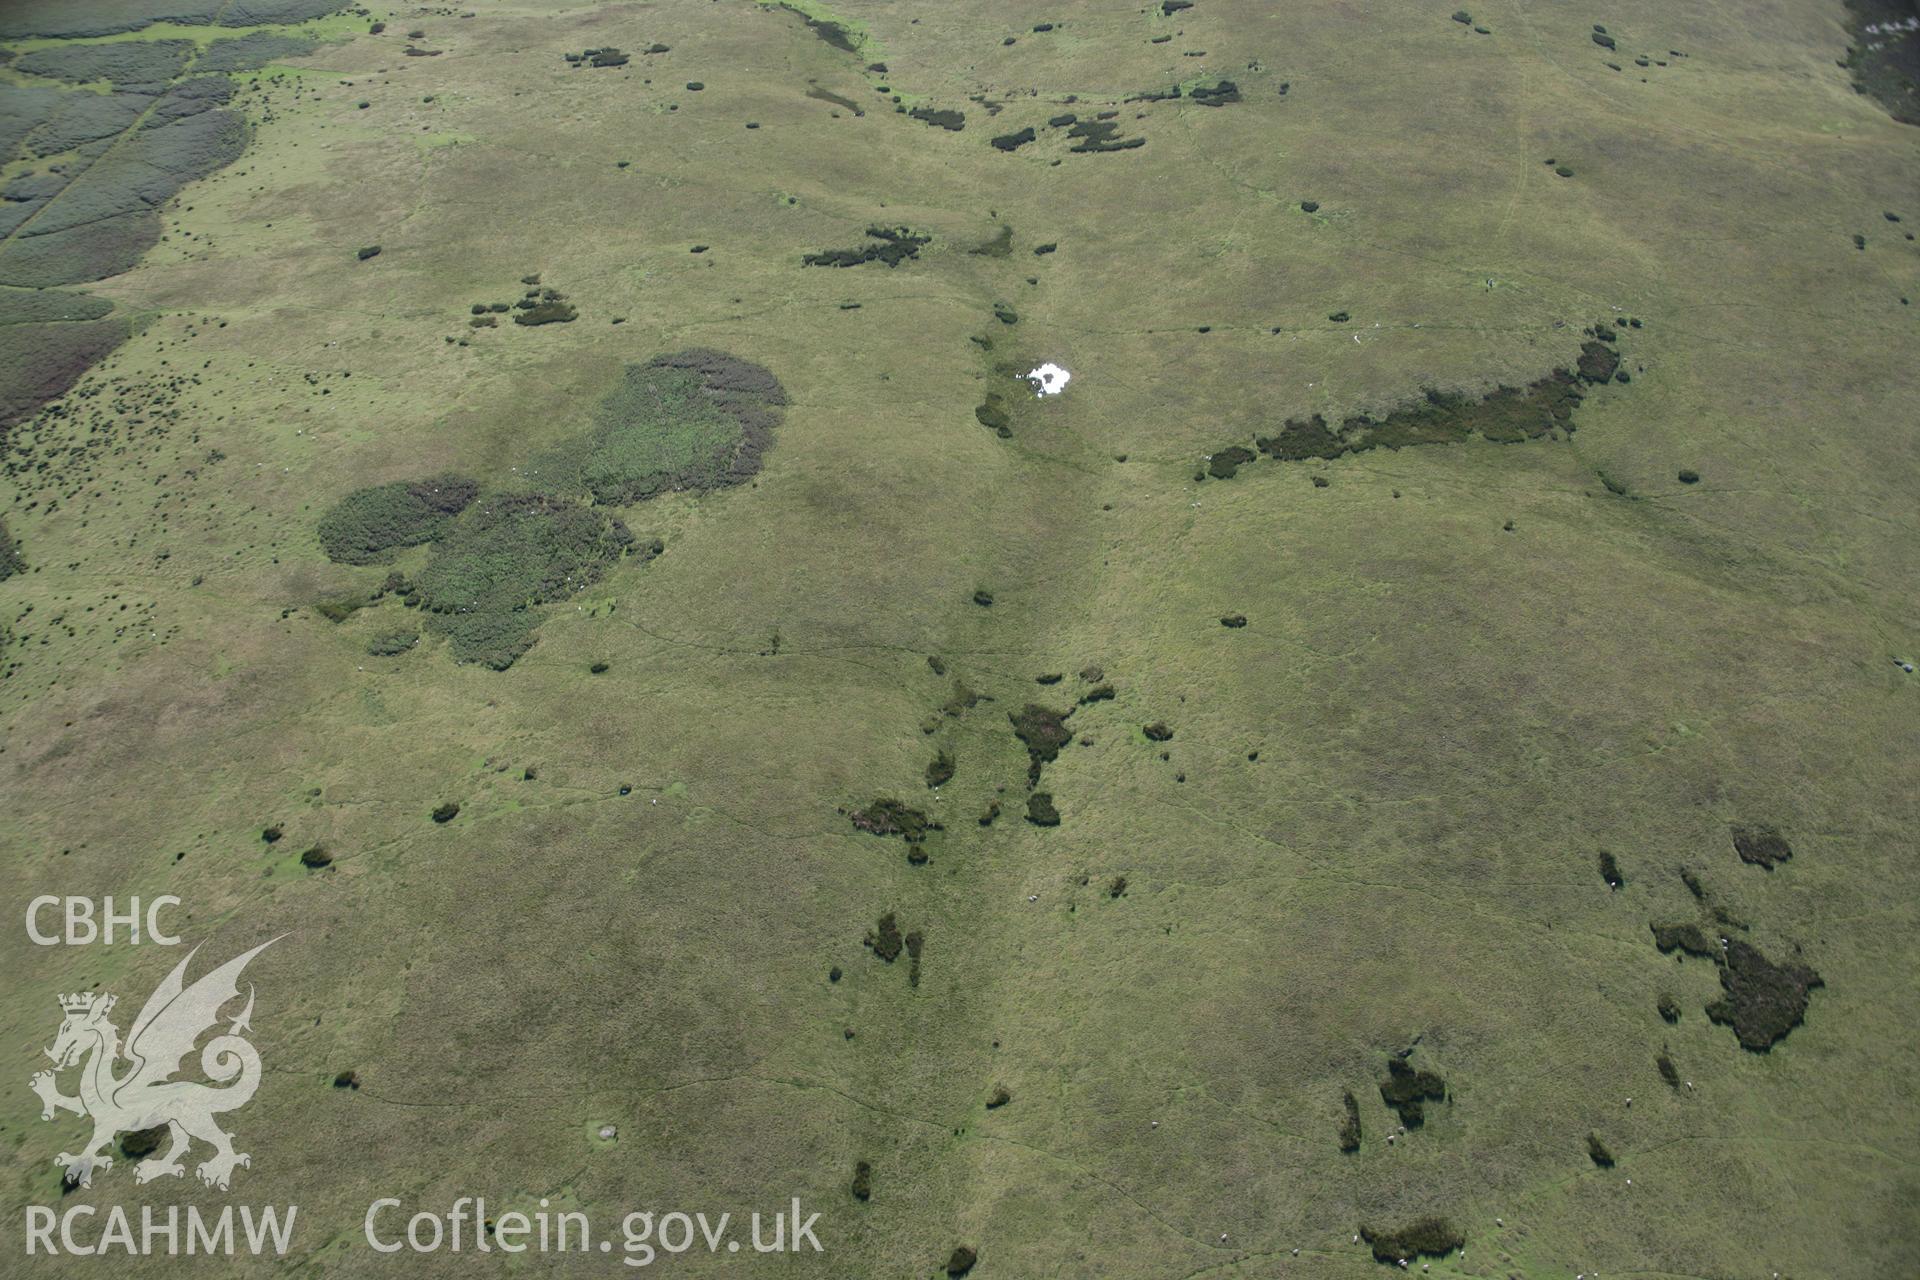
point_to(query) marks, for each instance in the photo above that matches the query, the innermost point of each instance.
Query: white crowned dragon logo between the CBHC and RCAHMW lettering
(145, 1097)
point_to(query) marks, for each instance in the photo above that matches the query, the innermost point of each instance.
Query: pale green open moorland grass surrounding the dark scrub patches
(1464, 671)
